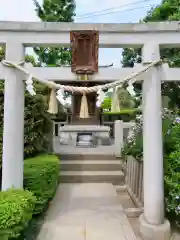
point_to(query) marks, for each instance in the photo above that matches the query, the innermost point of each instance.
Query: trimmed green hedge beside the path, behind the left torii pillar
(41, 175)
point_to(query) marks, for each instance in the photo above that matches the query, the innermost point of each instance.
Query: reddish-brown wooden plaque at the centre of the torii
(85, 47)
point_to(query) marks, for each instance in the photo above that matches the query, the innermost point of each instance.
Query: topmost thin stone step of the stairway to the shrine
(87, 157)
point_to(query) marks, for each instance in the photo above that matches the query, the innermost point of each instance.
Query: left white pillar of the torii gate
(13, 134)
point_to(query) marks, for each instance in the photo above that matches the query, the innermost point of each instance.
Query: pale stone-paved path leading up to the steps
(87, 211)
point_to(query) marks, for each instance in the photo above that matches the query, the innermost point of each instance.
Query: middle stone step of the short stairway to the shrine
(91, 165)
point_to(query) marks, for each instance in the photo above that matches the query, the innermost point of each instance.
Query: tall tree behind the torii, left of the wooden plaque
(55, 11)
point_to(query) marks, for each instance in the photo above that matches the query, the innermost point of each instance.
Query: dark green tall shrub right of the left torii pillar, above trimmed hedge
(37, 123)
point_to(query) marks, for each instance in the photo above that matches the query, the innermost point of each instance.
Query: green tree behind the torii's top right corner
(168, 10)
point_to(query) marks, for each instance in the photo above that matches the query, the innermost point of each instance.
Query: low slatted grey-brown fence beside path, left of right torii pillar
(134, 180)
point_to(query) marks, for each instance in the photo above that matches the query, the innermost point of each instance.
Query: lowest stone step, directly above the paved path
(114, 177)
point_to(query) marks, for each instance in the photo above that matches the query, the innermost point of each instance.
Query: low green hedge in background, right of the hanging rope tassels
(125, 115)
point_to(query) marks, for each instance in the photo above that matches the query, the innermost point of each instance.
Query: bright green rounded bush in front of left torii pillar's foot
(16, 209)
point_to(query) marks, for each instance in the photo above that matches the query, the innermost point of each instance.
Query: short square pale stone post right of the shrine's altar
(118, 137)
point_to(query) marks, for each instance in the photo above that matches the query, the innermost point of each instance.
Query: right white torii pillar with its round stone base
(153, 152)
